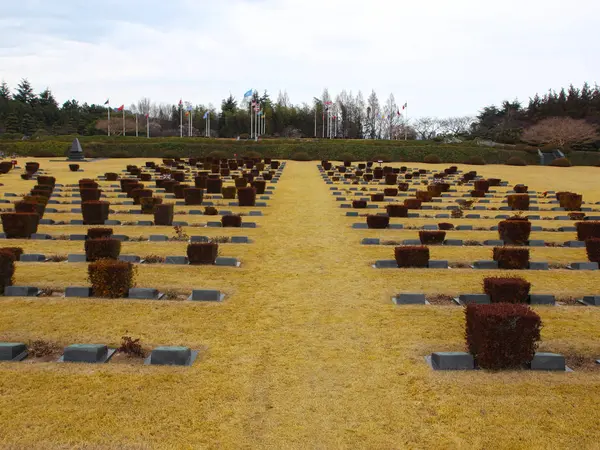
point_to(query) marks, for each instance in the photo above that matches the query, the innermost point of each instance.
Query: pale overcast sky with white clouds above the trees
(442, 57)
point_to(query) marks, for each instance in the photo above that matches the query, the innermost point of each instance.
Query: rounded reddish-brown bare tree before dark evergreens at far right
(560, 131)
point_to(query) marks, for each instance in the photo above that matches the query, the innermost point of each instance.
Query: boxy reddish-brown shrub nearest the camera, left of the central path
(111, 278)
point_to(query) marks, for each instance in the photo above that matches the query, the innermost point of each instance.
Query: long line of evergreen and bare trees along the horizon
(25, 113)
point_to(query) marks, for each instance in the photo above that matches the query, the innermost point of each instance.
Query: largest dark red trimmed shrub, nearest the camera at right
(502, 336)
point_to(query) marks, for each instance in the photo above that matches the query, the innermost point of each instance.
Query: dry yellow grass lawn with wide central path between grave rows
(306, 352)
